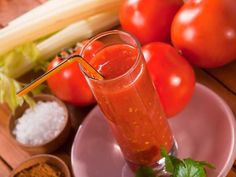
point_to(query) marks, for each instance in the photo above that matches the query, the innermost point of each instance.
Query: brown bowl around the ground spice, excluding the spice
(43, 158)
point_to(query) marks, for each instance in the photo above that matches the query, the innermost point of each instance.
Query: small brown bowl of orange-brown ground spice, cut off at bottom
(43, 165)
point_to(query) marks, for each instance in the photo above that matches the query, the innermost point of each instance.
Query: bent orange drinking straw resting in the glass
(93, 72)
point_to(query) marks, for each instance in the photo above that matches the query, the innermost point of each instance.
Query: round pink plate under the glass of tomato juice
(205, 130)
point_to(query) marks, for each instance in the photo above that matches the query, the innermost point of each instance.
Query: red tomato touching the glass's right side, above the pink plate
(173, 76)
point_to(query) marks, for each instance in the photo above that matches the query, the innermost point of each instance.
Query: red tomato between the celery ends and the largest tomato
(149, 20)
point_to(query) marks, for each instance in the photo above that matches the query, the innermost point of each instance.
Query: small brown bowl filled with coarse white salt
(42, 128)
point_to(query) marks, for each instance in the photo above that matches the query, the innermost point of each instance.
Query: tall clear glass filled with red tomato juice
(128, 99)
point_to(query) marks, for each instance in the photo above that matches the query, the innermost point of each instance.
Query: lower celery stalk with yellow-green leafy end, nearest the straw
(24, 58)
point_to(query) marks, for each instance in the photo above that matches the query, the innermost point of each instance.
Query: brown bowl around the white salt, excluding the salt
(50, 145)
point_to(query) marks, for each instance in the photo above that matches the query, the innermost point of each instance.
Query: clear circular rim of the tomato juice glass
(103, 34)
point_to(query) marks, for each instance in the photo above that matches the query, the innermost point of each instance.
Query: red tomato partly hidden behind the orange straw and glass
(69, 84)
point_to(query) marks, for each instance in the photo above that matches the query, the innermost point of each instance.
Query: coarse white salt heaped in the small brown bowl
(40, 124)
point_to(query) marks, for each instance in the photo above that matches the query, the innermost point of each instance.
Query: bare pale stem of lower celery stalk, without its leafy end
(76, 32)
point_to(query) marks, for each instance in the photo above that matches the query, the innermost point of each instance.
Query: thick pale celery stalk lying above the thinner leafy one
(52, 21)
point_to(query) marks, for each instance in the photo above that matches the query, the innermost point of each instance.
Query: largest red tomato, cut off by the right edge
(205, 32)
